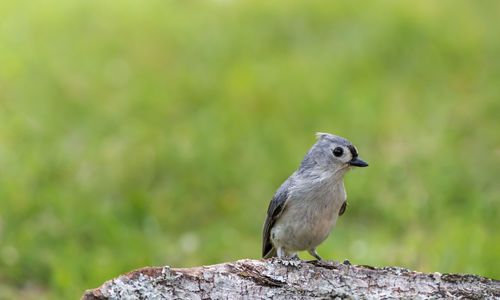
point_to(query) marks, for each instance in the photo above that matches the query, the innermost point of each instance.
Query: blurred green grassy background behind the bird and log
(139, 133)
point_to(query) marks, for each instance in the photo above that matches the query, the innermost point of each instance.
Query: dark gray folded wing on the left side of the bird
(274, 211)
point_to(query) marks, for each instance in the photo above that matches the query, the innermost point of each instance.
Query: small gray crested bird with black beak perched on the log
(306, 206)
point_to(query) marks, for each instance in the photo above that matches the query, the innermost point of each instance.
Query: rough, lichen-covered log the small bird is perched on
(292, 279)
